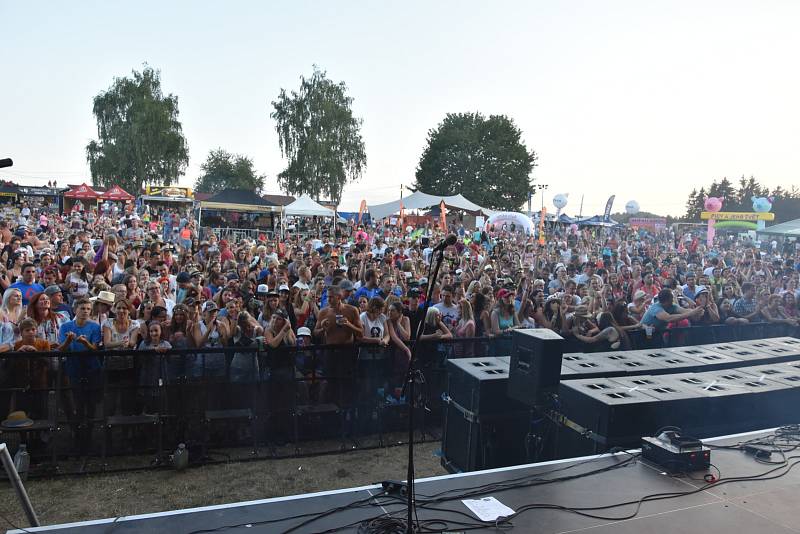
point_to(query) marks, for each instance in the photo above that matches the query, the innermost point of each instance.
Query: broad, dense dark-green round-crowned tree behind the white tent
(482, 158)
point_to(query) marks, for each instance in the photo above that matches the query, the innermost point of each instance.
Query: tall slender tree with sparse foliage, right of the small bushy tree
(320, 138)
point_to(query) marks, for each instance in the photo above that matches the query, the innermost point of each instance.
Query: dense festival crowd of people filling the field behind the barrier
(115, 279)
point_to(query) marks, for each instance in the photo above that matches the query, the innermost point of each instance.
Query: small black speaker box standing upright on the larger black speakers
(535, 369)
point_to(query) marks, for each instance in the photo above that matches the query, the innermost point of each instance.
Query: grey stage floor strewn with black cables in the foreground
(765, 507)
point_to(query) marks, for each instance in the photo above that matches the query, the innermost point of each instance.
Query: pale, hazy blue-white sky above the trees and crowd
(642, 99)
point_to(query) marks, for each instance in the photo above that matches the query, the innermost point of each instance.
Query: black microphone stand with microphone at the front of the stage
(411, 375)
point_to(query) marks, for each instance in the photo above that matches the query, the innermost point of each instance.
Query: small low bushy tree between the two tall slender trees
(223, 170)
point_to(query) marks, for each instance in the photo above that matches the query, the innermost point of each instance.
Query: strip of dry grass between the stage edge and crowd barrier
(78, 498)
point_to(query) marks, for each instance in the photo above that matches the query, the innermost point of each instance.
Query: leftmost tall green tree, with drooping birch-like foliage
(140, 139)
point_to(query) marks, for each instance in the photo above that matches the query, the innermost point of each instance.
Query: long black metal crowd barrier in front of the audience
(109, 403)
